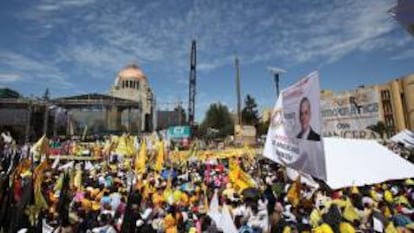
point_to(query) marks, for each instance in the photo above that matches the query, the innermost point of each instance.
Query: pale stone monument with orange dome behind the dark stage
(131, 83)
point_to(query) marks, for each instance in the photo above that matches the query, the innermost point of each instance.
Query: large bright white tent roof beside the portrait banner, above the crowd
(356, 162)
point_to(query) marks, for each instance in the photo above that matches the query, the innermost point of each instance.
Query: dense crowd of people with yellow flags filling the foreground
(232, 193)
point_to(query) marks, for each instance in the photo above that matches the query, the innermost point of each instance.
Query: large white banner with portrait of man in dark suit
(293, 138)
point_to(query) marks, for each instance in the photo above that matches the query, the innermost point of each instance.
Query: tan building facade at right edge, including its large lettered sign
(350, 114)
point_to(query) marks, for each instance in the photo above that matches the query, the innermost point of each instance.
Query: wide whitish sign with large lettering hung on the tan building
(349, 114)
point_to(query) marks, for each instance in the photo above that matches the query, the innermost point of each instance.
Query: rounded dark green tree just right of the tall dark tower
(217, 122)
